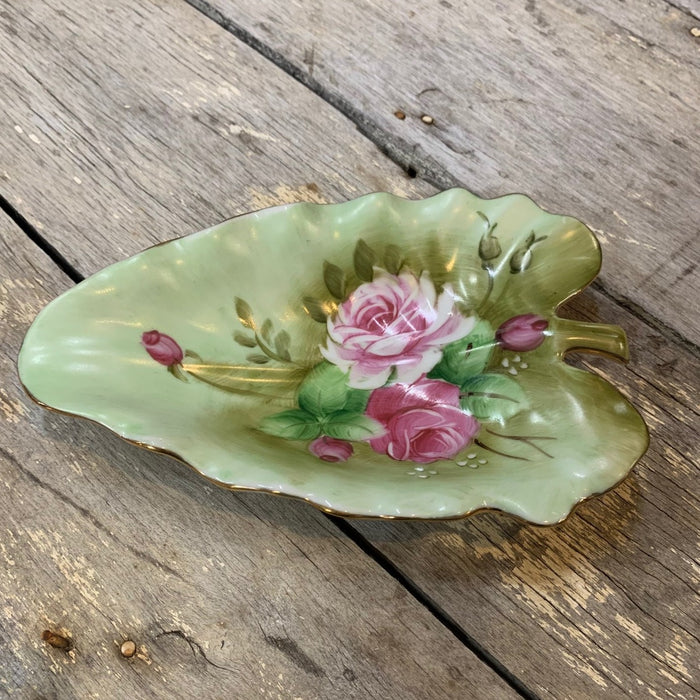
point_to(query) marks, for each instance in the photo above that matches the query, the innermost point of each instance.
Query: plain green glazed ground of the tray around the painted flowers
(82, 354)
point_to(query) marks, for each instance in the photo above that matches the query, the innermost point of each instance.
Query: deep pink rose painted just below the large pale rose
(423, 421)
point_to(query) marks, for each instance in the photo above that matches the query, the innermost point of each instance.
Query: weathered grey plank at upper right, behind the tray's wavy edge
(592, 108)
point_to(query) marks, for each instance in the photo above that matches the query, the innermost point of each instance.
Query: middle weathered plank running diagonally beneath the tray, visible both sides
(152, 171)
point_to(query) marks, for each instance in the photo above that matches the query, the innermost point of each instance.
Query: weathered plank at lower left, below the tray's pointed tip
(224, 595)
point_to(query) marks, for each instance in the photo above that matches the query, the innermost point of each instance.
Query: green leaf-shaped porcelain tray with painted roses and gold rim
(380, 357)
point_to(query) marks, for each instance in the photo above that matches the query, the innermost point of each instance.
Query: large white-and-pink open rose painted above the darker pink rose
(395, 321)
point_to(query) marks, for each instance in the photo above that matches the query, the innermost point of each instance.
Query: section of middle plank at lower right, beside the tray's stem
(605, 604)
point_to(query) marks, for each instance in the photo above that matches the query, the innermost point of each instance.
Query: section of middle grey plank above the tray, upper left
(142, 135)
